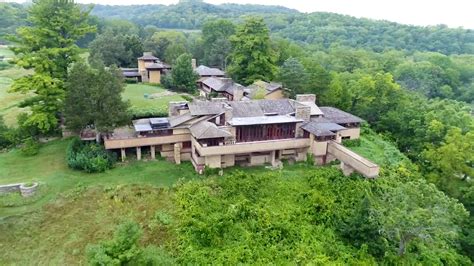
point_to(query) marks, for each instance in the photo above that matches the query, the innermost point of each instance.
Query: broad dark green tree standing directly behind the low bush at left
(94, 98)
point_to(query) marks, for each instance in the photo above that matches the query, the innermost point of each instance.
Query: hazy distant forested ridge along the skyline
(320, 29)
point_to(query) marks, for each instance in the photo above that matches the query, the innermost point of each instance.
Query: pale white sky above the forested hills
(454, 13)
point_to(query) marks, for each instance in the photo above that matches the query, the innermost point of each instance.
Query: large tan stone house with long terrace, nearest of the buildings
(223, 133)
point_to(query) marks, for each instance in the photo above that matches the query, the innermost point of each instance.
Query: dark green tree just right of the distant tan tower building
(183, 77)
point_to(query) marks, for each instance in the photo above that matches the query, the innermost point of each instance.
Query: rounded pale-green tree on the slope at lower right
(417, 212)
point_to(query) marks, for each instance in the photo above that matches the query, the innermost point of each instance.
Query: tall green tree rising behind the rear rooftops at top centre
(252, 56)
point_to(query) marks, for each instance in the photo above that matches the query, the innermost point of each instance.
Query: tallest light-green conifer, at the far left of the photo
(48, 46)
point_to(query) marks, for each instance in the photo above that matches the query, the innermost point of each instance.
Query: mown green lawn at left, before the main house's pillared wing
(49, 167)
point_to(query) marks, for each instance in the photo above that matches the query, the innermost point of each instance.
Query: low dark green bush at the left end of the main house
(89, 157)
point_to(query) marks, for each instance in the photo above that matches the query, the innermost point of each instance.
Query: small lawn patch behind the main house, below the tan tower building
(156, 101)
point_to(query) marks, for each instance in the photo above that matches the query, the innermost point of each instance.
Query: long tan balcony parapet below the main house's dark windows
(248, 147)
